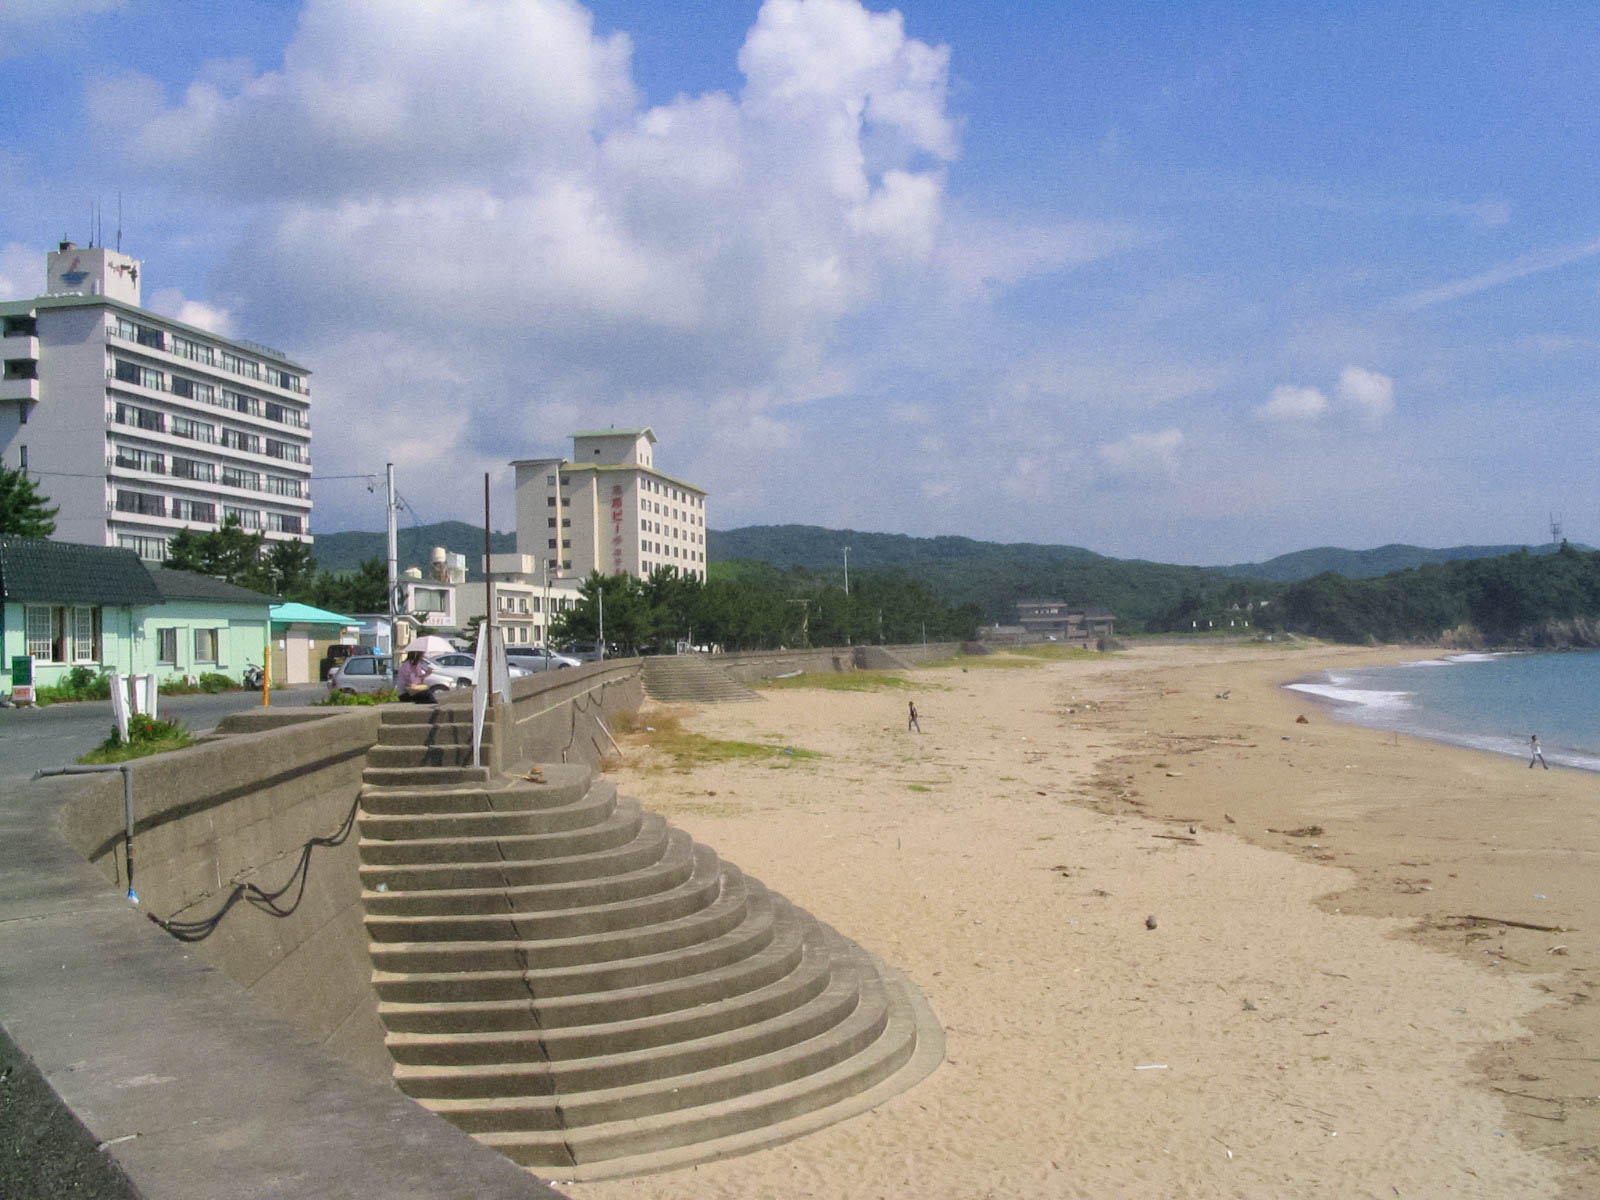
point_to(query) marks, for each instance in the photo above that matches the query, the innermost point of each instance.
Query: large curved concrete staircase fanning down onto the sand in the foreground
(591, 993)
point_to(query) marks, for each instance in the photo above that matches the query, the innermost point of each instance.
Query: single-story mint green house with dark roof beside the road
(71, 606)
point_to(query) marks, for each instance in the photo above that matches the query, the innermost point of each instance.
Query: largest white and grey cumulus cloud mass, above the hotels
(481, 178)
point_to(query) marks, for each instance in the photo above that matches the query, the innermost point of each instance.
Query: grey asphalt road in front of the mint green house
(57, 735)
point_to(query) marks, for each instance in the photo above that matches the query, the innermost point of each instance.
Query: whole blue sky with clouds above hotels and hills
(1186, 282)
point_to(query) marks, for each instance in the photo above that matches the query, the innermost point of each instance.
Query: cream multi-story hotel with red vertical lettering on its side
(609, 510)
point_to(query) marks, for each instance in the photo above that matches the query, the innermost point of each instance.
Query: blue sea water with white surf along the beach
(1482, 702)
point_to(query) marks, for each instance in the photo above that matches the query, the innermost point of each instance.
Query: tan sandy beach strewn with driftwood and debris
(1313, 1014)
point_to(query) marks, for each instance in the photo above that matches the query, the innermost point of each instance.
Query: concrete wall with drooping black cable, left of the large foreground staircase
(238, 812)
